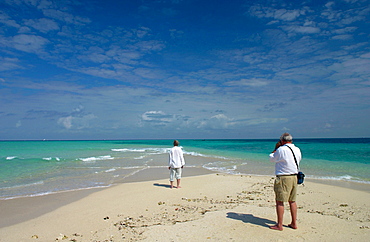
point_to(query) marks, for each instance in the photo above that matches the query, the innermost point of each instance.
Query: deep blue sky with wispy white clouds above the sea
(79, 69)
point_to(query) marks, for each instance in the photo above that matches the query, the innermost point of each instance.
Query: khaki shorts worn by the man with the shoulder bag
(285, 188)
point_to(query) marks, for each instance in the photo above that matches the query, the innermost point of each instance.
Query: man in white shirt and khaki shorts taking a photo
(285, 185)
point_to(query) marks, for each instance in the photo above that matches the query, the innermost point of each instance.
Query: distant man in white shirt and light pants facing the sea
(176, 163)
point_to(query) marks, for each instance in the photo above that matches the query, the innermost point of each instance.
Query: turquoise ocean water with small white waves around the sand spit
(32, 168)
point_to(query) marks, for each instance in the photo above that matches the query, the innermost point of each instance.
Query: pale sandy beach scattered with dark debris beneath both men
(208, 207)
